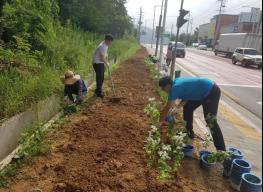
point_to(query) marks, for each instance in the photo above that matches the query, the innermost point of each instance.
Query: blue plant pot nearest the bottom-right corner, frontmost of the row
(250, 183)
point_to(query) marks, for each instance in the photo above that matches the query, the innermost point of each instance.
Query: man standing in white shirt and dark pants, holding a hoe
(100, 61)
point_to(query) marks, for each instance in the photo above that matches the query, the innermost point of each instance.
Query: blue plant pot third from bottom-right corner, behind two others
(237, 154)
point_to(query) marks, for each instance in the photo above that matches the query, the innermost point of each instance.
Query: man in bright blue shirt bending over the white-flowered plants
(195, 92)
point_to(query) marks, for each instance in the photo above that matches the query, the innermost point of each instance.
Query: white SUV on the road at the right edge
(247, 57)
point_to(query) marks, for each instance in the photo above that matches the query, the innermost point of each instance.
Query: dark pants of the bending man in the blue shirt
(210, 105)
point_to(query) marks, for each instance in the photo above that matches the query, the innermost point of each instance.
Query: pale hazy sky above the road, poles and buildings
(201, 10)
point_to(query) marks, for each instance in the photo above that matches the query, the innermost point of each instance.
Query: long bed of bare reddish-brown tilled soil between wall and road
(101, 149)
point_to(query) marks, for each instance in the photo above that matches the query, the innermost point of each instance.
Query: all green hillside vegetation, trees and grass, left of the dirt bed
(40, 39)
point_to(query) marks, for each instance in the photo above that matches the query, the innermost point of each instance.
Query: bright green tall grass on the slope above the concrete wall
(38, 78)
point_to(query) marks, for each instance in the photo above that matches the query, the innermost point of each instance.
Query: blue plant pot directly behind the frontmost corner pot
(239, 168)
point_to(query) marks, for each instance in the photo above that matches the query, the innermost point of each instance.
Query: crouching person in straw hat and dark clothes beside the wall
(74, 85)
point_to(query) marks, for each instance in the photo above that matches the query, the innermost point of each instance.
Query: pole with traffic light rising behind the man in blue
(180, 22)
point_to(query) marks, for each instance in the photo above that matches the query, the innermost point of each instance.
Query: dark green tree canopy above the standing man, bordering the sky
(97, 15)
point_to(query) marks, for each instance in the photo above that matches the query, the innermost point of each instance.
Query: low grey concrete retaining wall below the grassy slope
(11, 129)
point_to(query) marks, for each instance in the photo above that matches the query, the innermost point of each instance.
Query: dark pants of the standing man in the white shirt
(99, 69)
